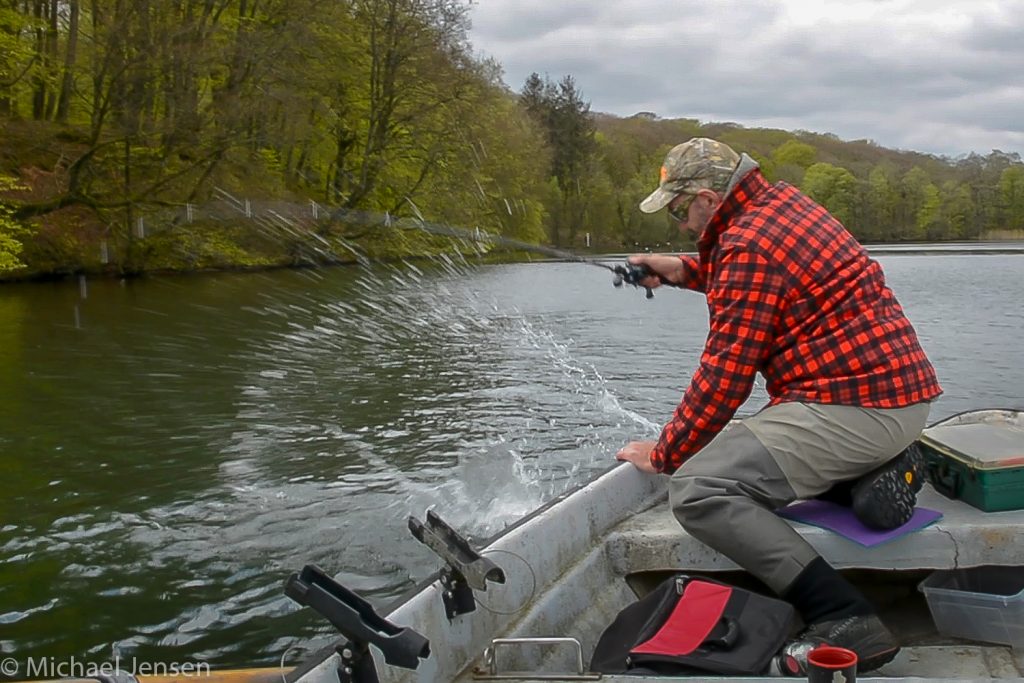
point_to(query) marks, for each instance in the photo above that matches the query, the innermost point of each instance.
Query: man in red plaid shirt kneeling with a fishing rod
(793, 296)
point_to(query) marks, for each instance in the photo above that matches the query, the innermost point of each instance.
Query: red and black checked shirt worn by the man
(792, 295)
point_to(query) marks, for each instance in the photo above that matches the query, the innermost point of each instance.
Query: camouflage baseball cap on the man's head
(699, 163)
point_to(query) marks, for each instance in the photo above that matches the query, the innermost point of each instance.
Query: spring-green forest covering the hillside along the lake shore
(126, 126)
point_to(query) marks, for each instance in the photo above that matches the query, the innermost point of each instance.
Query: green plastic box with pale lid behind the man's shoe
(978, 457)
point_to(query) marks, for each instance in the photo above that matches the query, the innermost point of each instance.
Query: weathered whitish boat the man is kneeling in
(574, 565)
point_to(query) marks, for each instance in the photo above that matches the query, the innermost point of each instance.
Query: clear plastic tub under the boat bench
(980, 604)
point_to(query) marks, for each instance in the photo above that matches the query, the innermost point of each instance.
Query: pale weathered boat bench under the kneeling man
(965, 537)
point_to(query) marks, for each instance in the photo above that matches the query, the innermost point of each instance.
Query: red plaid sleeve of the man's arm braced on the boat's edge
(746, 298)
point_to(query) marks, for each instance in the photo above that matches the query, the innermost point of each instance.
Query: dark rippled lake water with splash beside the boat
(172, 449)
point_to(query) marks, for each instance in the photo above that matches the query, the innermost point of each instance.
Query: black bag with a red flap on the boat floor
(695, 626)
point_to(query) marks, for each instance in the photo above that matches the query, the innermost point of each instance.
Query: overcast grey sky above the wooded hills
(938, 76)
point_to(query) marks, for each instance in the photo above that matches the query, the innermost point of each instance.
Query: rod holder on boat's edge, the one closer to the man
(466, 571)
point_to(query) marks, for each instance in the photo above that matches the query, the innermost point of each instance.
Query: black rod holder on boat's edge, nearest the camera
(360, 624)
